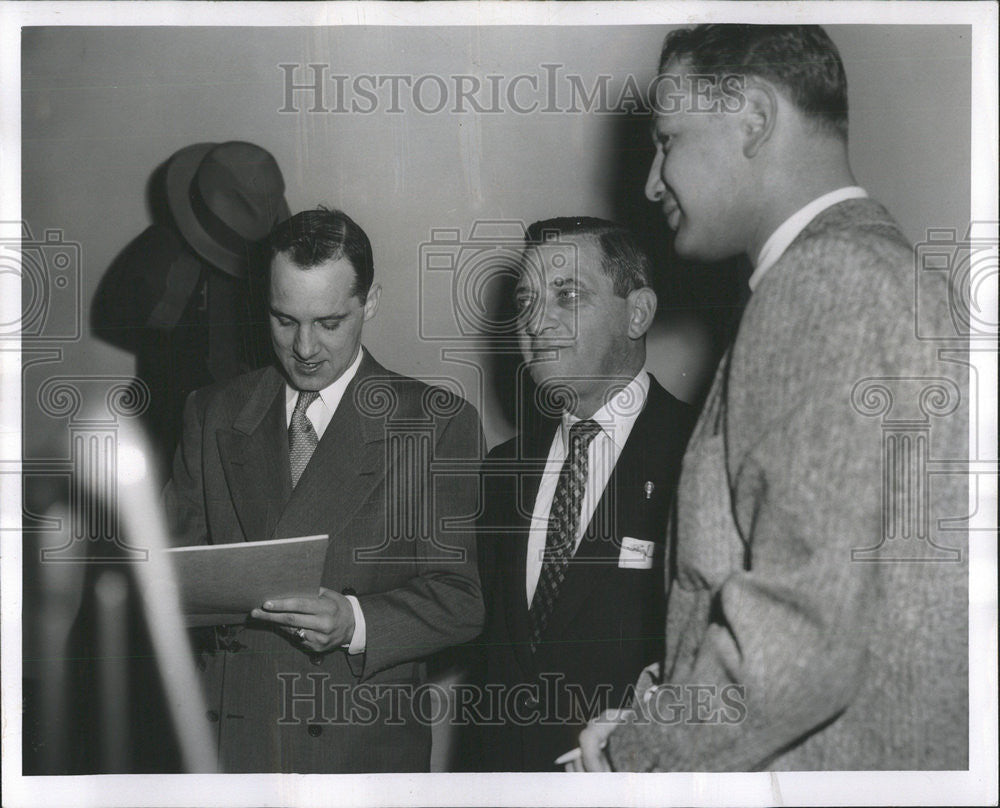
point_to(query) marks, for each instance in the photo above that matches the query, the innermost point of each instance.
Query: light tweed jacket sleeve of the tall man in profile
(785, 647)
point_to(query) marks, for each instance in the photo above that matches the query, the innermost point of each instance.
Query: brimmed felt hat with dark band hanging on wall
(224, 198)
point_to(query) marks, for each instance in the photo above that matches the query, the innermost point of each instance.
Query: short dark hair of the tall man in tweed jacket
(801, 59)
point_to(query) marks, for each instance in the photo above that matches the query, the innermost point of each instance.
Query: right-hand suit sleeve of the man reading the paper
(441, 605)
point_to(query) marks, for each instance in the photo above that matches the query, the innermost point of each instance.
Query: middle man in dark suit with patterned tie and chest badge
(572, 535)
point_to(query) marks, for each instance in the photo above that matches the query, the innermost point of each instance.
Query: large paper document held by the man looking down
(221, 583)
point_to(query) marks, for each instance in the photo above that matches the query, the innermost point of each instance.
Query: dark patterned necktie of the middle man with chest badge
(564, 519)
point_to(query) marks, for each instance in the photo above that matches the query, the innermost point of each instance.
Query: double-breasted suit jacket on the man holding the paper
(370, 486)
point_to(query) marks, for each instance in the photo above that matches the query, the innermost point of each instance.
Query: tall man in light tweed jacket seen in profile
(816, 613)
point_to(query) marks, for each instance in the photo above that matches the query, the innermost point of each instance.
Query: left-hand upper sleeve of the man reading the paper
(184, 495)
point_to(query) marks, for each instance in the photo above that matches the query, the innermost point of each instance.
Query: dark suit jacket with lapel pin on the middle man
(608, 621)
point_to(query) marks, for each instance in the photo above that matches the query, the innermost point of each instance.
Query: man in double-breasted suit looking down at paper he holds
(329, 441)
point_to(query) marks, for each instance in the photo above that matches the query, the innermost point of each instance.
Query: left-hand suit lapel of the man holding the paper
(254, 455)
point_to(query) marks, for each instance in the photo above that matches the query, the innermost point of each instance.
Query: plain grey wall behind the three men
(104, 107)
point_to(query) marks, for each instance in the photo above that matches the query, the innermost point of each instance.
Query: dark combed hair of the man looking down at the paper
(314, 237)
